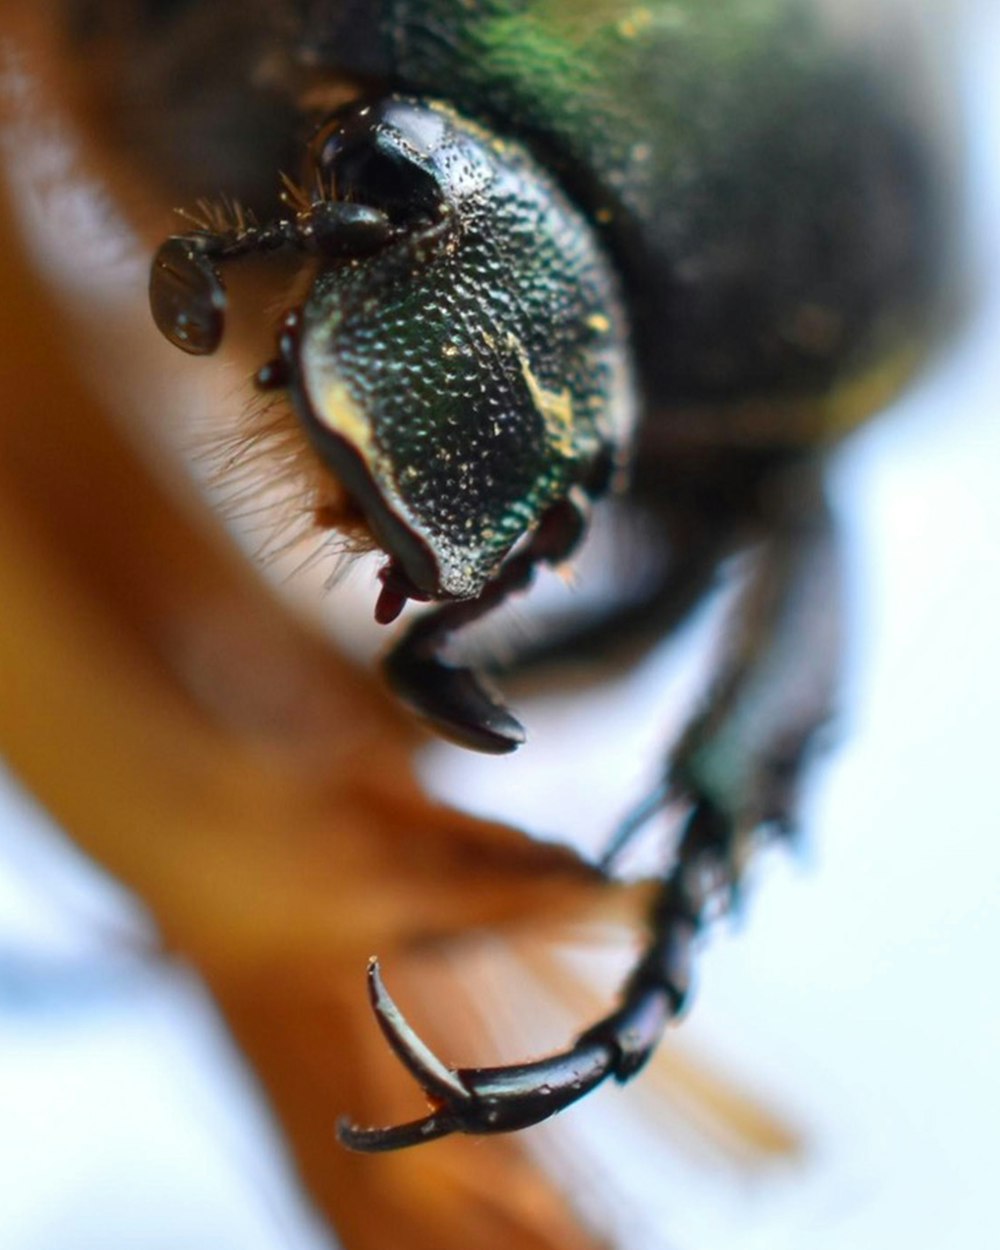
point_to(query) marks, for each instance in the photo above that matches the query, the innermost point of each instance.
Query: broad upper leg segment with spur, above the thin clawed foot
(744, 753)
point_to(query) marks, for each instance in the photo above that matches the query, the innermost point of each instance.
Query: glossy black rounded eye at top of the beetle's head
(367, 161)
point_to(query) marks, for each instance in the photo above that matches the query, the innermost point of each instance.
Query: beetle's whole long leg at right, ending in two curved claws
(737, 768)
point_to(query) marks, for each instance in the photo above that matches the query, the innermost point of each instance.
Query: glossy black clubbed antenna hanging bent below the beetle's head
(453, 698)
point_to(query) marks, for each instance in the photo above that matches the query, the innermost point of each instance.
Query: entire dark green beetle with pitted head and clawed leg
(563, 252)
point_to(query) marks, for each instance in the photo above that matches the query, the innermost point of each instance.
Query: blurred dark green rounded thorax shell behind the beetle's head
(757, 177)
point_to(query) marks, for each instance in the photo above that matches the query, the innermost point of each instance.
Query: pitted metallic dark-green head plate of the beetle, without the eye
(477, 367)
